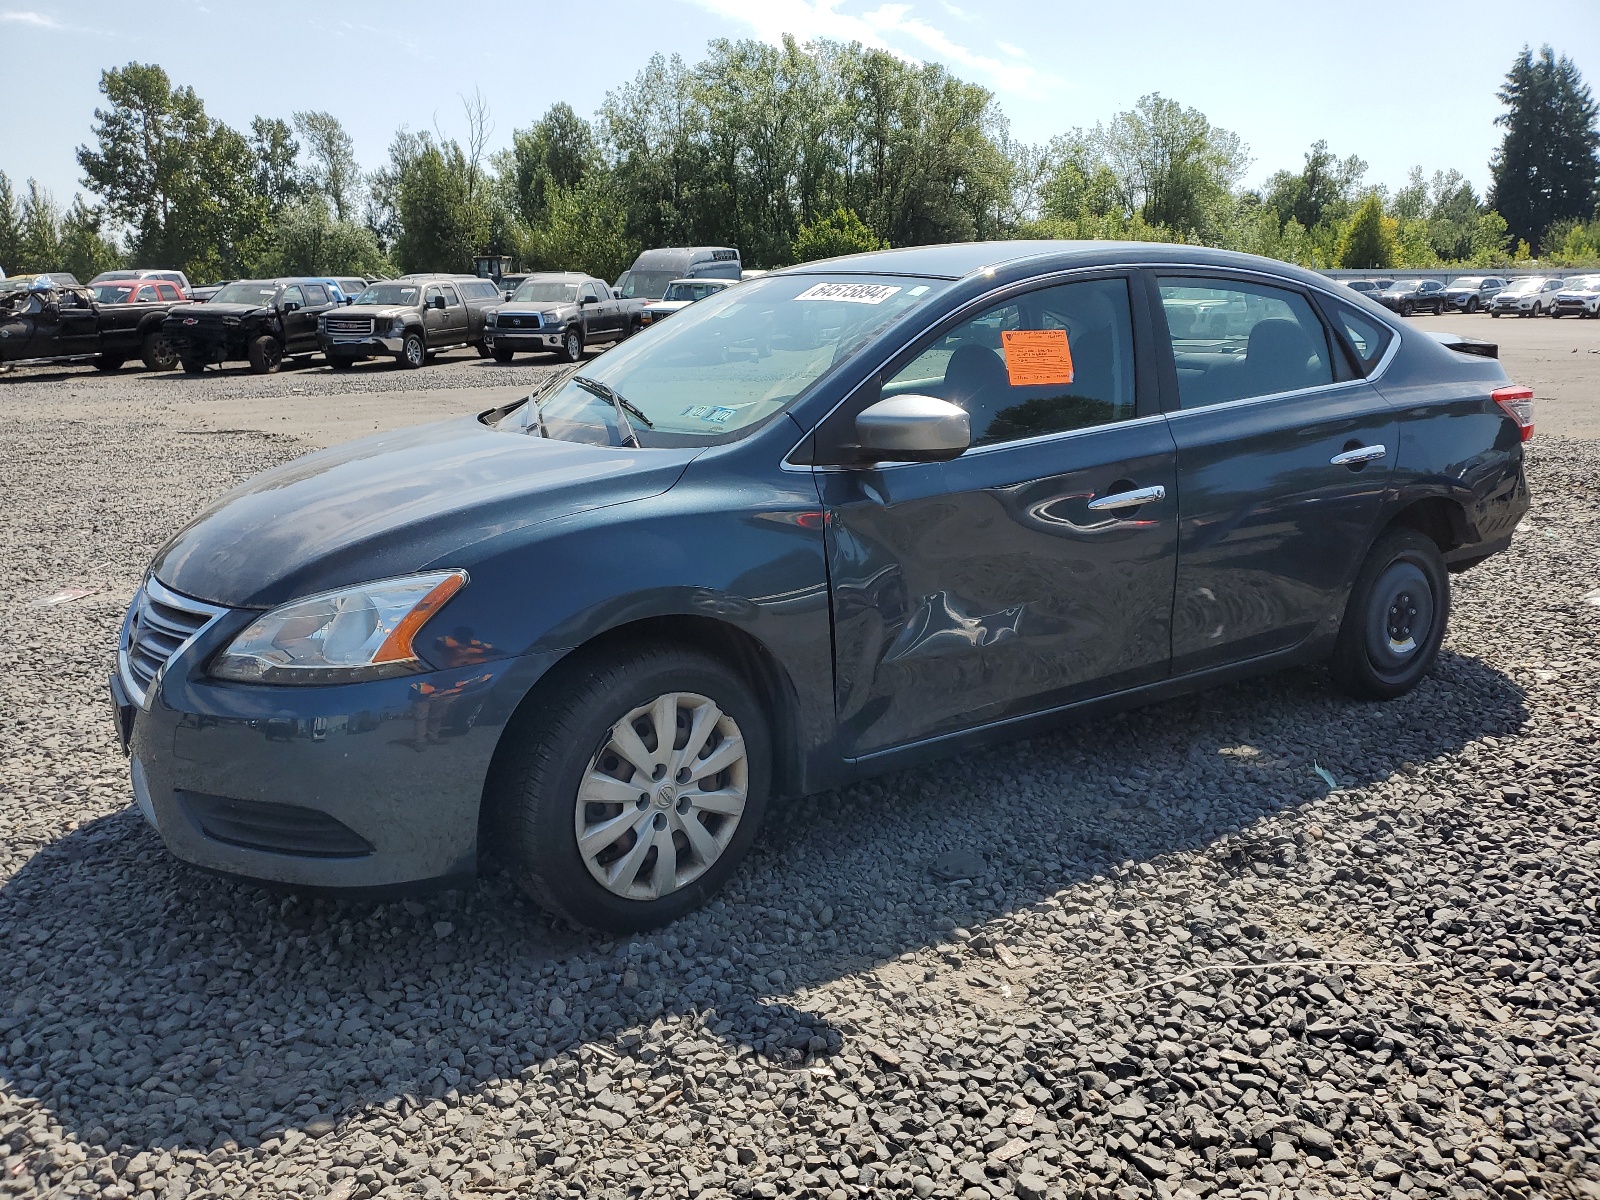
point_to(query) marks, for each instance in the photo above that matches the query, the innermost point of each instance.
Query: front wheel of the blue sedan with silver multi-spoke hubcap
(564, 742)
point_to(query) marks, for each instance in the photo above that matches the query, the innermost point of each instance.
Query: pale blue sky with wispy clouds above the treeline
(1398, 84)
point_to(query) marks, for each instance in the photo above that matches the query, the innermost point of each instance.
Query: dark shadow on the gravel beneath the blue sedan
(185, 1010)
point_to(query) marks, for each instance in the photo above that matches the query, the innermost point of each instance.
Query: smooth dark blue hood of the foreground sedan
(394, 505)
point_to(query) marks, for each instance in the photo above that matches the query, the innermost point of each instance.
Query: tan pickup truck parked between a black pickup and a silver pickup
(409, 319)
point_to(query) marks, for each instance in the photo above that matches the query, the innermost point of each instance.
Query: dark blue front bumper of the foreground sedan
(337, 788)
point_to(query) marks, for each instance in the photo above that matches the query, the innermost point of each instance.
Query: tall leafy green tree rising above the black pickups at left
(185, 183)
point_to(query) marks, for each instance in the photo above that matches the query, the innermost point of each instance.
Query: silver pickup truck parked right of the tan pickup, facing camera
(562, 313)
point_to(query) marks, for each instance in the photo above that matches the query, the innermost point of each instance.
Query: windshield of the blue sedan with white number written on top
(724, 366)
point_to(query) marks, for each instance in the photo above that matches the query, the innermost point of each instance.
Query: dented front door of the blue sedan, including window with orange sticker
(1002, 583)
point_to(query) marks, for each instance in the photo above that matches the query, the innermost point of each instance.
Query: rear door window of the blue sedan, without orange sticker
(1234, 340)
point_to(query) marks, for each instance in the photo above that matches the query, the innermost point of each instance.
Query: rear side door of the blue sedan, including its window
(1284, 455)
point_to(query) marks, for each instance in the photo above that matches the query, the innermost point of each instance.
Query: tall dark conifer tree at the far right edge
(1548, 167)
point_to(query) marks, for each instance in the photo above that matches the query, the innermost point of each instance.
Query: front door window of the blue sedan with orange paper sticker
(1044, 362)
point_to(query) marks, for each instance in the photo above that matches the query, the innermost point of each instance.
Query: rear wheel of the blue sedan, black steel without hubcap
(1396, 618)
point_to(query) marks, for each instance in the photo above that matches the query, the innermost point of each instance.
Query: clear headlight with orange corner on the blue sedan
(340, 638)
